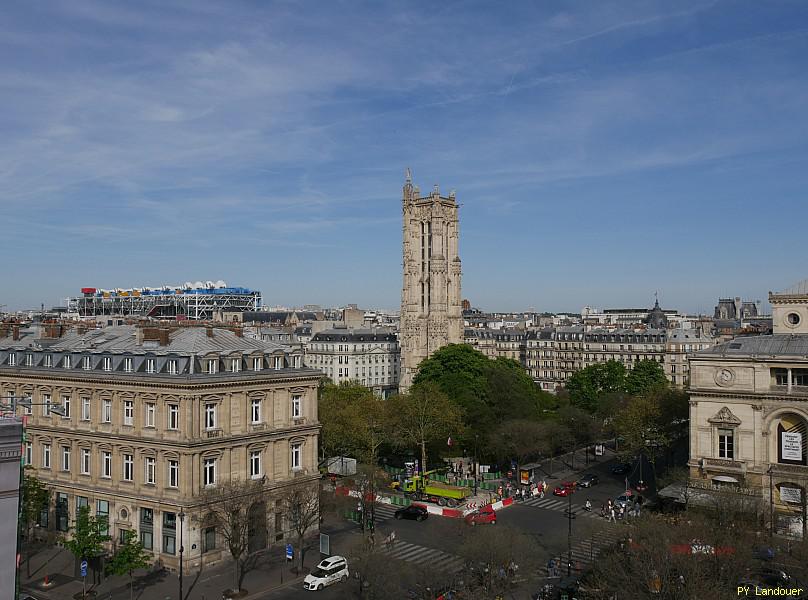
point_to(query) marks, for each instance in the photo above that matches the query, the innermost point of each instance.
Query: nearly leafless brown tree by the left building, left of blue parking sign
(226, 507)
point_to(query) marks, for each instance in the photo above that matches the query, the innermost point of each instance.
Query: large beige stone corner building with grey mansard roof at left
(156, 416)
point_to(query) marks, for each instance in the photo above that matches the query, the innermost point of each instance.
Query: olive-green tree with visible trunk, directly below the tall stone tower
(423, 416)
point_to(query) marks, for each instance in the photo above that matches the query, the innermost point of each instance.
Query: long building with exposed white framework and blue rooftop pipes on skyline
(197, 301)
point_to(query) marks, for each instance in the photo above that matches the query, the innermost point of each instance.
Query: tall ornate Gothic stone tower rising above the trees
(431, 306)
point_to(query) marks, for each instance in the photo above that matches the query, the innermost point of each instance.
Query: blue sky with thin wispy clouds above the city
(601, 151)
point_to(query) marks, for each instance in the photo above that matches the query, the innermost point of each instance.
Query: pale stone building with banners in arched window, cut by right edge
(749, 413)
